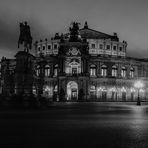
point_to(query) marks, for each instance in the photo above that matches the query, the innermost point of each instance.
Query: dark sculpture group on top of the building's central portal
(74, 32)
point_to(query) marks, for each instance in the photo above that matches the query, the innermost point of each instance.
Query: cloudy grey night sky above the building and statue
(126, 17)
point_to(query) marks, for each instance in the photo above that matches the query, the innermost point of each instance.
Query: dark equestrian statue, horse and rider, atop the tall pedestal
(25, 37)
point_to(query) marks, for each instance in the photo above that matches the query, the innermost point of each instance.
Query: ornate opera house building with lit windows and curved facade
(82, 65)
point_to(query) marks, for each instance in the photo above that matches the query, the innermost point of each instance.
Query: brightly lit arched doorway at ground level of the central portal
(72, 91)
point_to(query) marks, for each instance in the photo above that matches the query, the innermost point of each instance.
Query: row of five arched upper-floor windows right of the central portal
(114, 72)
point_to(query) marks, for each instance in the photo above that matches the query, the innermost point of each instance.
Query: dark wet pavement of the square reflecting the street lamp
(98, 125)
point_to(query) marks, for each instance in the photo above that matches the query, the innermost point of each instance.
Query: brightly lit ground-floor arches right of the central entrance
(115, 93)
